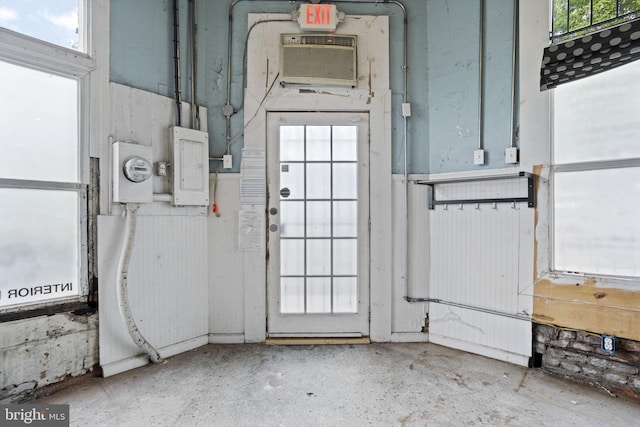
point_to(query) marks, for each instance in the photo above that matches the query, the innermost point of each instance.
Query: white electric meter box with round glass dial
(132, 173)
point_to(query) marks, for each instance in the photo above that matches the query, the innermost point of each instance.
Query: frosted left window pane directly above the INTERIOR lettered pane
(38, 125)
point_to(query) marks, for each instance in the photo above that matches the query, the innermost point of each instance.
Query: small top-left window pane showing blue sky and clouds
(52, 21)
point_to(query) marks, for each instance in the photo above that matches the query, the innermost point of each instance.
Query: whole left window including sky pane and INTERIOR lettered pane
(43, 154)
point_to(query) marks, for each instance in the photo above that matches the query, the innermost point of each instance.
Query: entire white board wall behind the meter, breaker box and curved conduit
(168, 273)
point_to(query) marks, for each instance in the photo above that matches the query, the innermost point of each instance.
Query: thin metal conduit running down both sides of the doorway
(228, 112)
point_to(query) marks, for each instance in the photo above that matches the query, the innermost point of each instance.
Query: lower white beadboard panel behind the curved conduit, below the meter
(167, 283)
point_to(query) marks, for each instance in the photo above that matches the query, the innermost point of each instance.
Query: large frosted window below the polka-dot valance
(596, 174)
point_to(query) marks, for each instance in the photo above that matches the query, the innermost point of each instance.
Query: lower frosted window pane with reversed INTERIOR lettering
(38, 245)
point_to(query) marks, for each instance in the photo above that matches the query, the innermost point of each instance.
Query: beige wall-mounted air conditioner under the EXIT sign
(318, 60)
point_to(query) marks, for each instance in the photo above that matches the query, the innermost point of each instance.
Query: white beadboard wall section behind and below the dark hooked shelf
(475, 261)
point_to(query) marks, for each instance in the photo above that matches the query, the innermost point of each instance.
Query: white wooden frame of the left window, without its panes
(39, 55)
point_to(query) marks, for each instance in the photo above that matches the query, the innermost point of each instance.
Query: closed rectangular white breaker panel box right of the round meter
(190, 166)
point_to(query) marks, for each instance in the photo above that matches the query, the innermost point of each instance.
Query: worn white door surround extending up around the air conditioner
(372, 96)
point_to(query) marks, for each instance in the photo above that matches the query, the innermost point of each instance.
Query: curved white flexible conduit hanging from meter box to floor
(121, 281)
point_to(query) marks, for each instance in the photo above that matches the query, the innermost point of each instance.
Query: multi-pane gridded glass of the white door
(308, 286)
